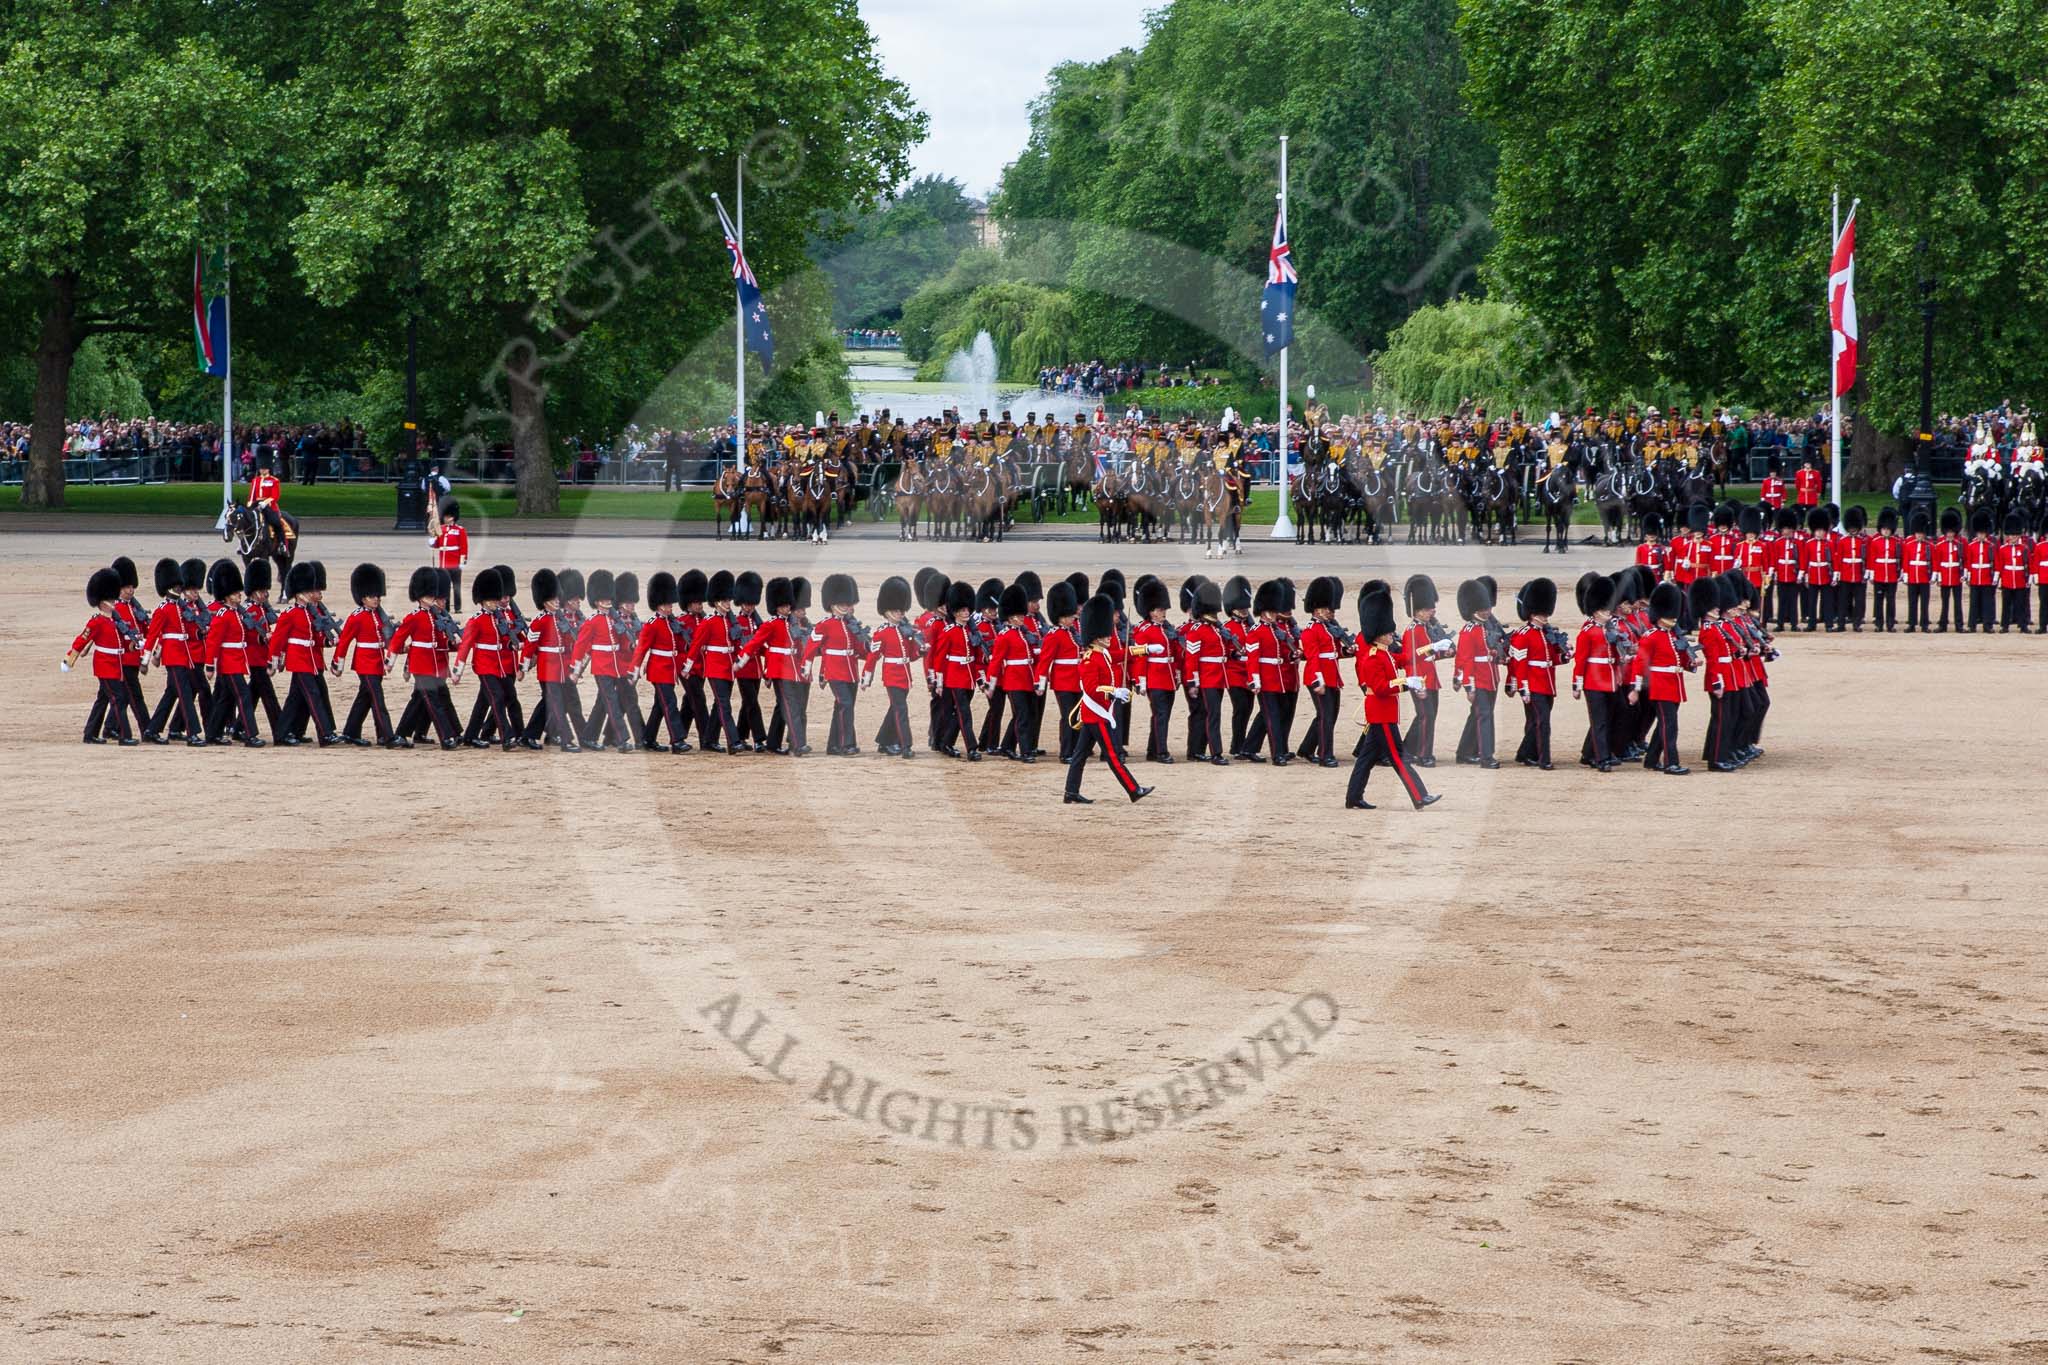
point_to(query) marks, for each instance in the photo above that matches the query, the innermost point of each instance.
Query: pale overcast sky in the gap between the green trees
(976, 64)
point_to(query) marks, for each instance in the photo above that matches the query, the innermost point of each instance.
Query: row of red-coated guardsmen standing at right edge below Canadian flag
(1828, 570)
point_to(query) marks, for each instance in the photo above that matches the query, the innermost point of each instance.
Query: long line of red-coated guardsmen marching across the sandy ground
(730, 664)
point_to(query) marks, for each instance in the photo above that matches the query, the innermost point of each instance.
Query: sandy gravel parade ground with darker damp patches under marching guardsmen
(355, 1055)
